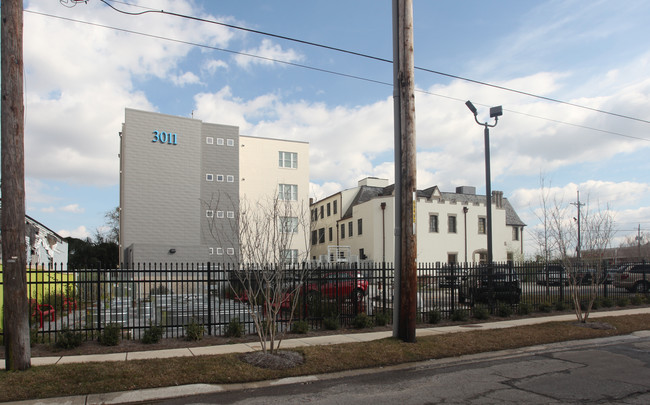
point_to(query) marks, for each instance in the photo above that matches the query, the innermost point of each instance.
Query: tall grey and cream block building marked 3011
(182, 180)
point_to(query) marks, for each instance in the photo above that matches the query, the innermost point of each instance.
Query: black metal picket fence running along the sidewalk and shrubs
(175, 295)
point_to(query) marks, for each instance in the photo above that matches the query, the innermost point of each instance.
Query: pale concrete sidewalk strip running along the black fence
(313, 341)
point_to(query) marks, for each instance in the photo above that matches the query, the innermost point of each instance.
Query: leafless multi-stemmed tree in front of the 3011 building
(270, 238)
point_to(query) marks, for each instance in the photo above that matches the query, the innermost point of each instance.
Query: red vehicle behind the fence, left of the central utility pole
(338, 285)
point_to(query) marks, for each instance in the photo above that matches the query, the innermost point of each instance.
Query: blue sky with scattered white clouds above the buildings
(86, 62)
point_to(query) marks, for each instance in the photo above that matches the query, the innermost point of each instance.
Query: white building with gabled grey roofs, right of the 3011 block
(451, 227)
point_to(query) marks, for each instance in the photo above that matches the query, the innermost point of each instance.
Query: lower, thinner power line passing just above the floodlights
(313, 68)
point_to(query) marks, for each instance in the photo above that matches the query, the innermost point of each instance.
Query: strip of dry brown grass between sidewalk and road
(82, 379)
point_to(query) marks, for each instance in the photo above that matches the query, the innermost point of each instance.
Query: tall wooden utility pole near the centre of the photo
(404, 307)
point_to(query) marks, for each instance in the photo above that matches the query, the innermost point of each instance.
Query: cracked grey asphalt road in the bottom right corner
(611, 370)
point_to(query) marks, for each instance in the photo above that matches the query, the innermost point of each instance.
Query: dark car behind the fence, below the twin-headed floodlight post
(497, 282)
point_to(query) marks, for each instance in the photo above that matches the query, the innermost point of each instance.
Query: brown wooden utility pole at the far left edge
(14, 261)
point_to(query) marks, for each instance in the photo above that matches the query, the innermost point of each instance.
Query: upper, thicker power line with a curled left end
(363, 55)
